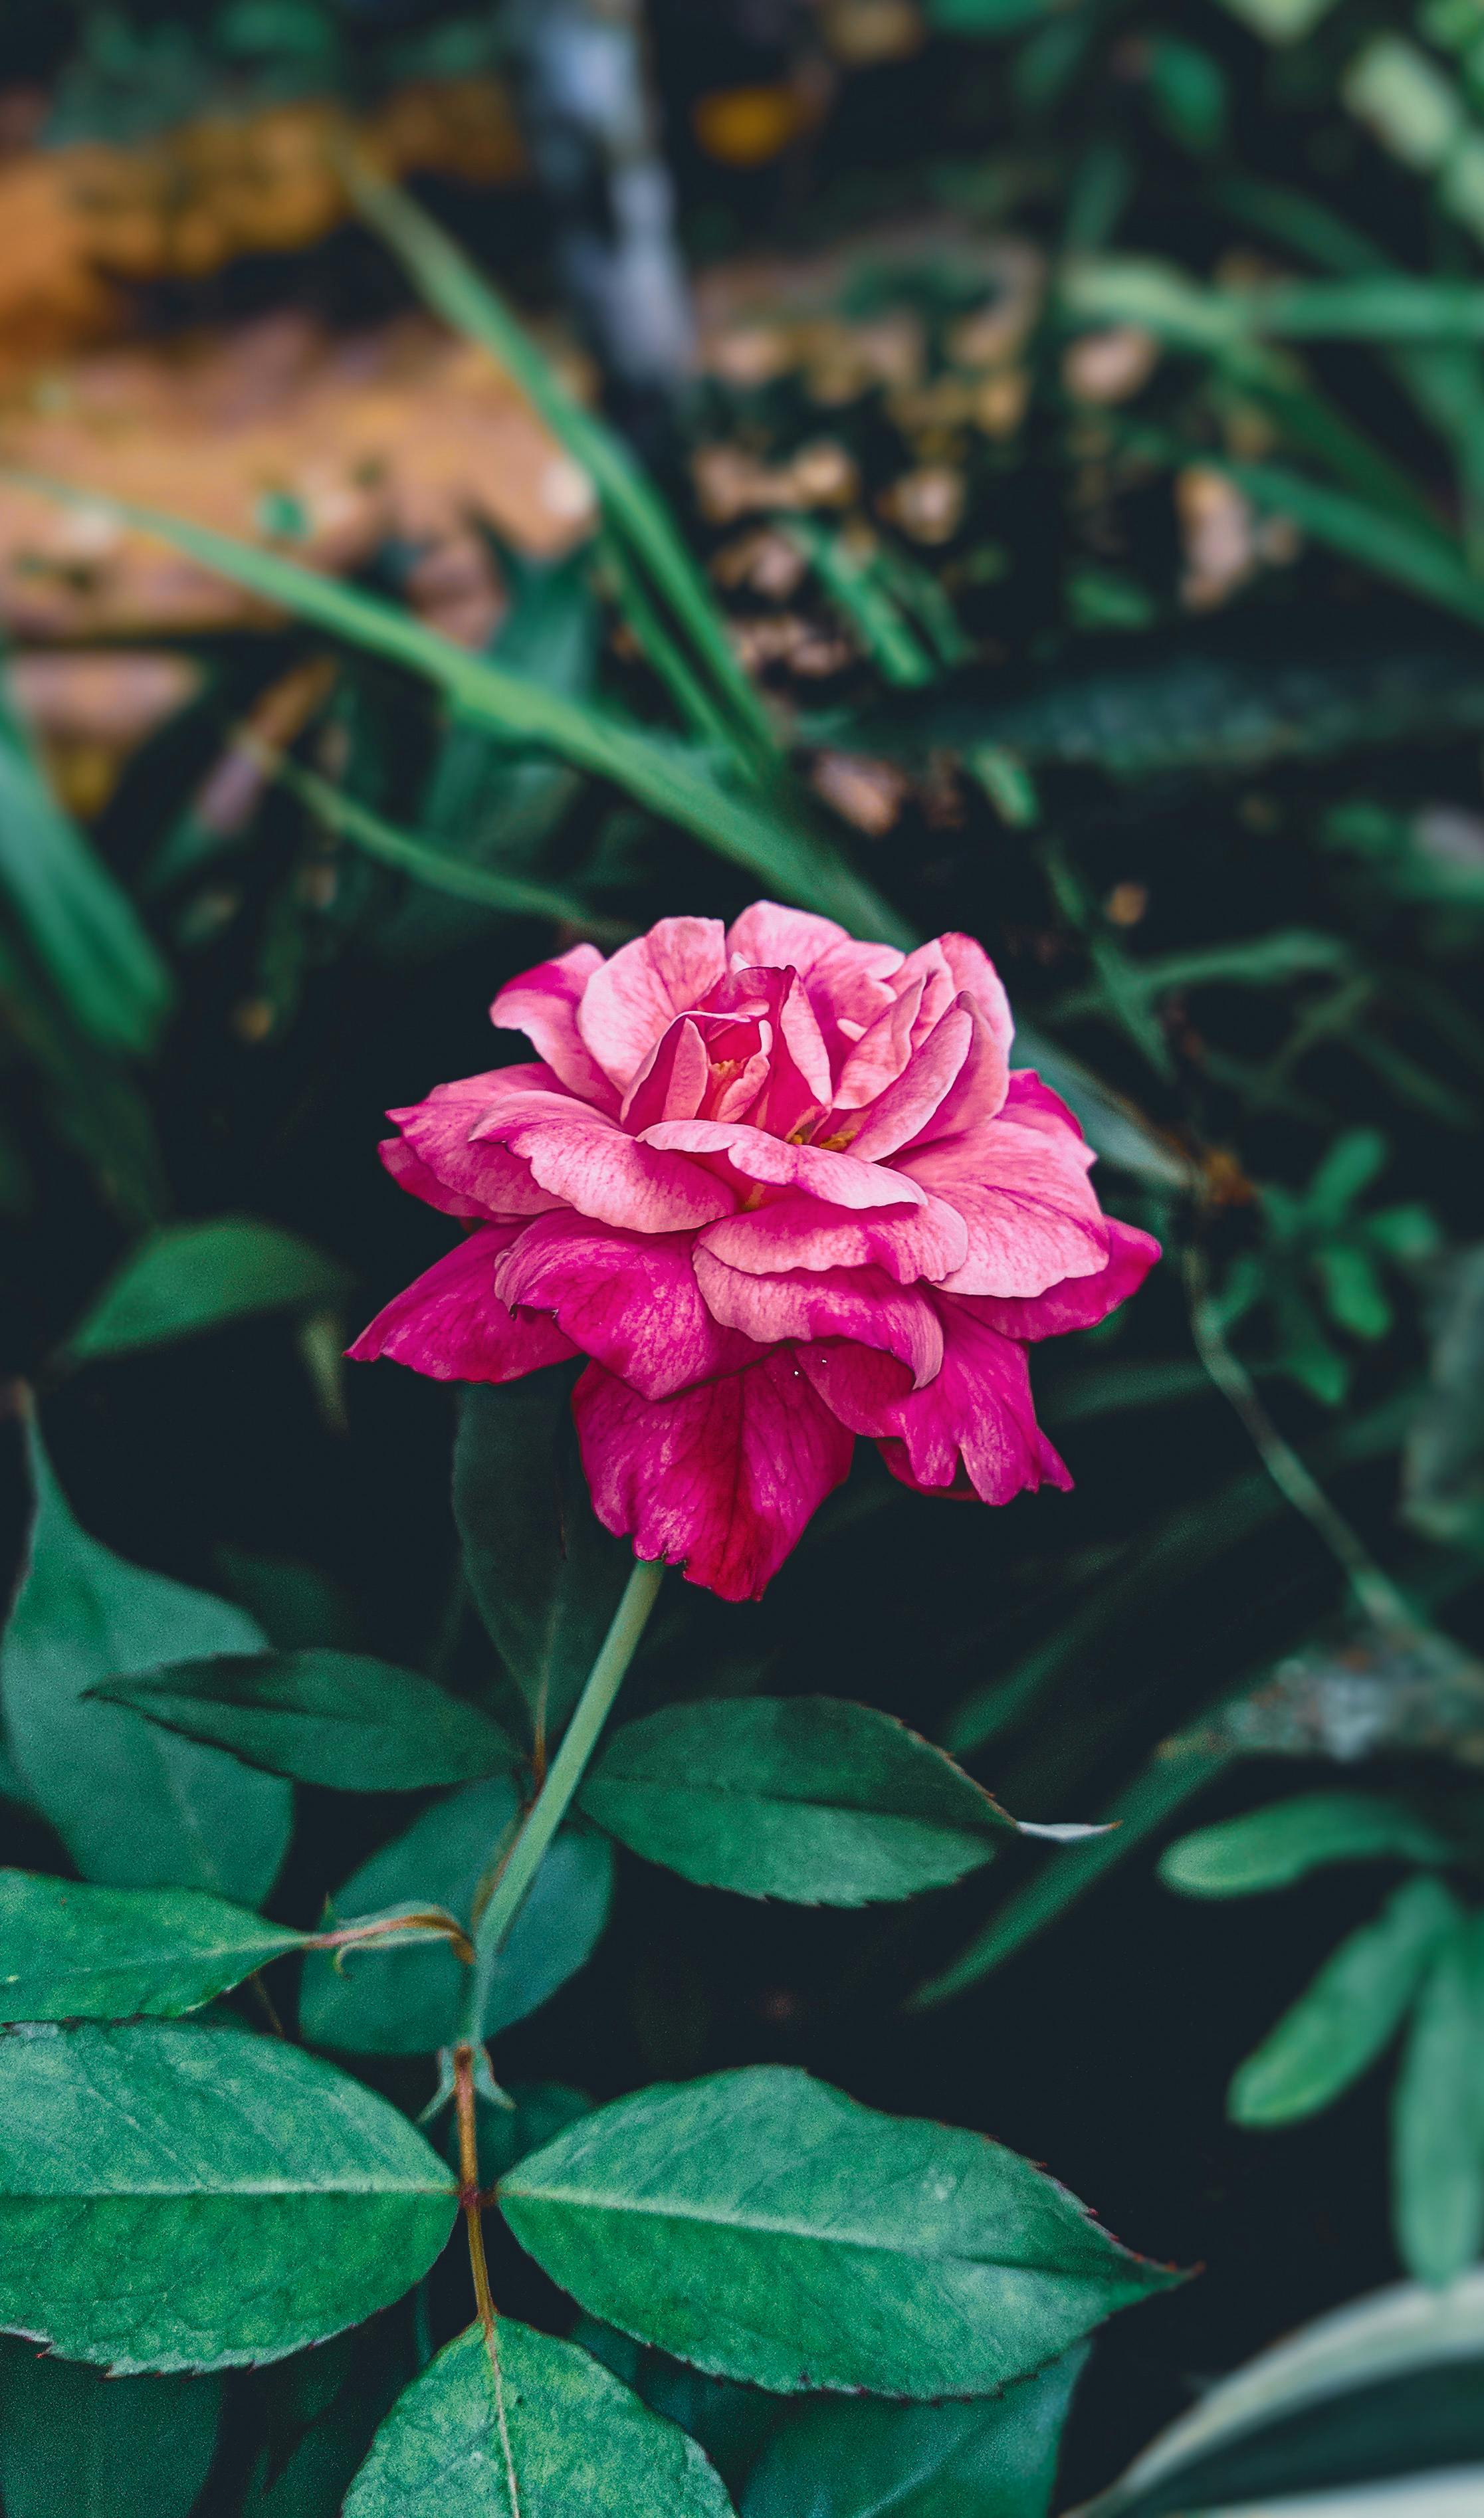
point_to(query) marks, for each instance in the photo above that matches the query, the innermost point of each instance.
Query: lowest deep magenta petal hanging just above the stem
(719, 1479)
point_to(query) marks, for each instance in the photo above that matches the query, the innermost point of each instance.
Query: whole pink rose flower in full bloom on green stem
(782, 1190)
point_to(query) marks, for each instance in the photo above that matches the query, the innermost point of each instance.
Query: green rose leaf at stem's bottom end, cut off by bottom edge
(581, 2446)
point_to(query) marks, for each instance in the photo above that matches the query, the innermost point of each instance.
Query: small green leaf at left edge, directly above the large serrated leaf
(72, 1953)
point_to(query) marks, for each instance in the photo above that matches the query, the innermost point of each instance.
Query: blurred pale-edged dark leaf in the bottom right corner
(1387, 2386)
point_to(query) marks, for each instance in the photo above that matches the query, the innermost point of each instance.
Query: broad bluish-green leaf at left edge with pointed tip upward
(132, 1807)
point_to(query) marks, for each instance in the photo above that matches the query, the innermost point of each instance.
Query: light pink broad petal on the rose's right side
(1027, 1202)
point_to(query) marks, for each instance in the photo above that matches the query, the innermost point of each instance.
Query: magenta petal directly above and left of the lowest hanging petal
(629, 1301)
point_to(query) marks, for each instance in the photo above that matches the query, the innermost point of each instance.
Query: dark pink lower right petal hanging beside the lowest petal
(979, 1409)
